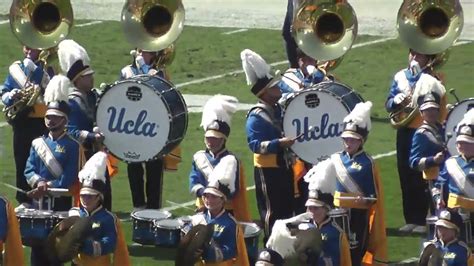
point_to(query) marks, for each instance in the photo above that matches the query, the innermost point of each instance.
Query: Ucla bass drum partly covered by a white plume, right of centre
(315, 116)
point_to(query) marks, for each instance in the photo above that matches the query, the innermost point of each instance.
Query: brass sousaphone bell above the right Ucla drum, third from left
(325, 29)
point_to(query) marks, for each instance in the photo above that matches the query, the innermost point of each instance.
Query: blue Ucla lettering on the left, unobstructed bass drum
(137, 127)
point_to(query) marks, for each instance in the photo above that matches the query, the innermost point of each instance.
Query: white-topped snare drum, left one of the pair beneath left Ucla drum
(143, 225)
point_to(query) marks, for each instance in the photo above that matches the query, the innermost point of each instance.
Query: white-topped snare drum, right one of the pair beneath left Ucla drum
(168, 232)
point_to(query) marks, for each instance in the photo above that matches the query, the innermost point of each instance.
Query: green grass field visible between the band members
(203, 52)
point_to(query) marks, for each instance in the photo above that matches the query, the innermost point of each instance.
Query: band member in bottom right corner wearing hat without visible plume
(453, 251)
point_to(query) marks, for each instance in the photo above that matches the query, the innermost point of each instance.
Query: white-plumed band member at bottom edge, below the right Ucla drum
(322, 184)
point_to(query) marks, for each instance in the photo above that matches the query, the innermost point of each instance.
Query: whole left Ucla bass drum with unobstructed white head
(142, 118)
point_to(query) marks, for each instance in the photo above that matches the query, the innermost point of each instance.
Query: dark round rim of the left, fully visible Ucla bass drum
(175, 142)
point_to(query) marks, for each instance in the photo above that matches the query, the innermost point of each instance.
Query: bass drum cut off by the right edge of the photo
(455, 116)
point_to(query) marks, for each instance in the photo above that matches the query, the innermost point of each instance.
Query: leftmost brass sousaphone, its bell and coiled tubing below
(38, 24)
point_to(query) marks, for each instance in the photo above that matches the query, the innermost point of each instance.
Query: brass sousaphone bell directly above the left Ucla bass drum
(152, 25)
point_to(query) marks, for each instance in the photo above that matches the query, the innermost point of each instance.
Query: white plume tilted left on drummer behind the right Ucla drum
(254, 66)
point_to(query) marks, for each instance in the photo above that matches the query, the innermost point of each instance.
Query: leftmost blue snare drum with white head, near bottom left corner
(35, 226)
